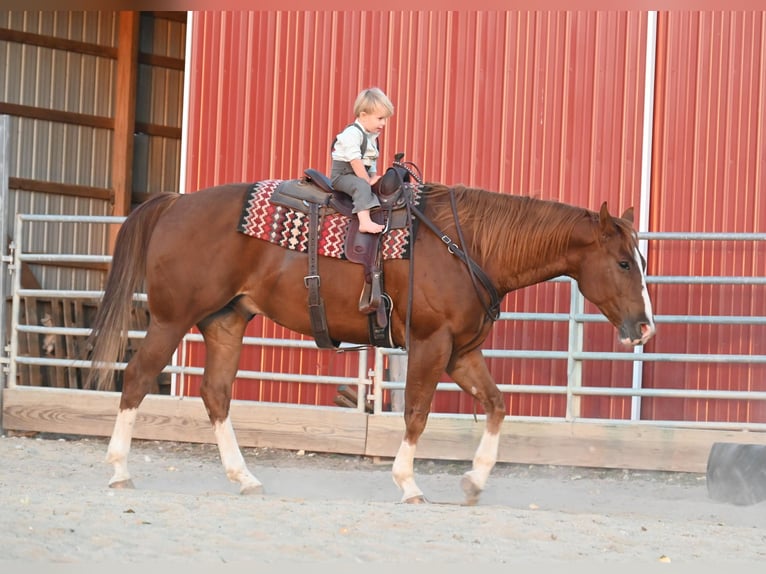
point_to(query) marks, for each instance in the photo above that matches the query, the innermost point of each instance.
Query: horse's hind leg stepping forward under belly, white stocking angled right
(223, 334)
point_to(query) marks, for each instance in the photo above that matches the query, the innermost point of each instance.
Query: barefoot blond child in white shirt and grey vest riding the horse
(355, 154)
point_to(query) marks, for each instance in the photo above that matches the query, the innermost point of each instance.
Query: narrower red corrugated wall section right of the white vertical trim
(709, 175)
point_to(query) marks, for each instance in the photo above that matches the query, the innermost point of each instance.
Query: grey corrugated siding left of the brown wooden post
(50, 151)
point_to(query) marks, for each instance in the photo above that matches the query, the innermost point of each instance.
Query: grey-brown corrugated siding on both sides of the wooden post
(58, 79)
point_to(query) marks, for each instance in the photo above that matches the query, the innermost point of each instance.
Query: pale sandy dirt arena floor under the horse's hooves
(56, 508)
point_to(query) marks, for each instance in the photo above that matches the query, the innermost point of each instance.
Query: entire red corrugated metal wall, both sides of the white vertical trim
(548, 104)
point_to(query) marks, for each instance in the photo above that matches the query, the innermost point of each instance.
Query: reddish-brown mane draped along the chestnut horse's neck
(519, 229)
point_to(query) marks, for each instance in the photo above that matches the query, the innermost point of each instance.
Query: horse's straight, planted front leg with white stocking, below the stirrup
(424, 367)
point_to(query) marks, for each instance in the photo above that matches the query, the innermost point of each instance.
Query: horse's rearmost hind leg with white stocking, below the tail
(142, 370)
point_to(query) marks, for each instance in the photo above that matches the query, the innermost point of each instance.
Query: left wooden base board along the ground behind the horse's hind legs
(160, 417)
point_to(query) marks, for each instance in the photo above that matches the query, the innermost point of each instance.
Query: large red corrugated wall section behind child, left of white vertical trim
(547, 104)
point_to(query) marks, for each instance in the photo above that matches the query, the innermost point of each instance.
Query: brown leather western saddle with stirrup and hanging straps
(314, 195)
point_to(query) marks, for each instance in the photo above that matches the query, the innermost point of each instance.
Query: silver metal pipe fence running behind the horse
(372, 384)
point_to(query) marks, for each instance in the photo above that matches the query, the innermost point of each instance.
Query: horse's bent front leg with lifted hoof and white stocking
(471, 374)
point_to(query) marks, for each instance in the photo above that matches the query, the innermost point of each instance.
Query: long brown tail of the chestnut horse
(109, 331)
